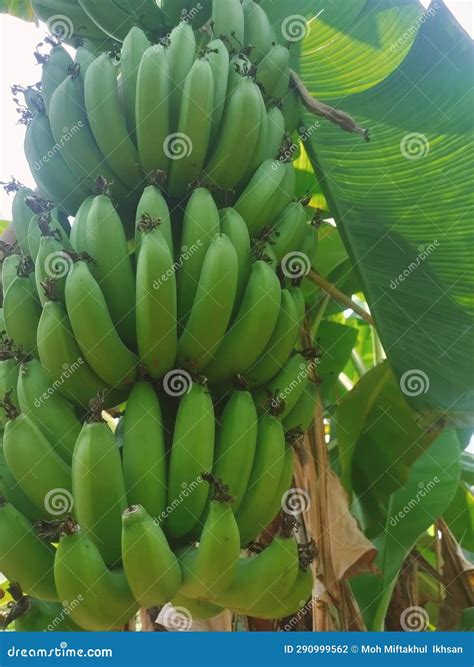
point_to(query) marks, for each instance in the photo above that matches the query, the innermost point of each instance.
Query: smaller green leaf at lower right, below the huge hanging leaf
(427, 493)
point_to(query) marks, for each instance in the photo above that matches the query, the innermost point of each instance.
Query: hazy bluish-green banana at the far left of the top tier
(52, 175)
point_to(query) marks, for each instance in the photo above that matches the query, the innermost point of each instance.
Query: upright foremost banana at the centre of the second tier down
(156, 305)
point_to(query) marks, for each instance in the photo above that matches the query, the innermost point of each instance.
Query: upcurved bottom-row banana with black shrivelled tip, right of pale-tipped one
(209, 569)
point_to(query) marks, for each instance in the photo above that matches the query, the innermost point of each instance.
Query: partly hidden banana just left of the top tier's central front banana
(134, 46)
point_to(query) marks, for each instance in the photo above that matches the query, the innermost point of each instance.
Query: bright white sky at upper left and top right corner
(18, 41)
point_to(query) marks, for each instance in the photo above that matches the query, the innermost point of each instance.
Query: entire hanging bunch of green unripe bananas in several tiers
(175, 298)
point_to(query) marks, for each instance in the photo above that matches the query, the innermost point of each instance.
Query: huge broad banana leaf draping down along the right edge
(402, 204)
